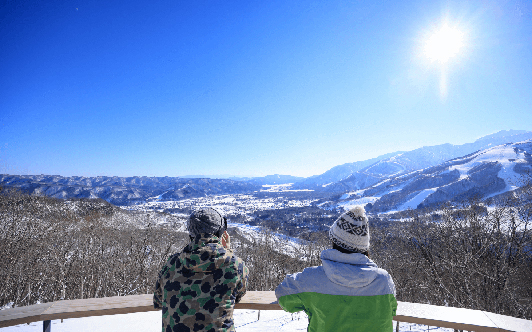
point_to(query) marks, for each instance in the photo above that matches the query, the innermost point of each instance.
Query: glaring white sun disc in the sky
(444, 44)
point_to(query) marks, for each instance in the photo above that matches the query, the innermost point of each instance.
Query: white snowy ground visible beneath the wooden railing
(245, 321)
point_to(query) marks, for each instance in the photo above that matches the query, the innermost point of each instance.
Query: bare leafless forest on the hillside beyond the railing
(470, 256)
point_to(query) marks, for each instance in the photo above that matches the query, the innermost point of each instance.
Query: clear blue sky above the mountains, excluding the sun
(251, 88)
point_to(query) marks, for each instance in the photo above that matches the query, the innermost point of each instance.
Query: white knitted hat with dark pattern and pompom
(351, 231)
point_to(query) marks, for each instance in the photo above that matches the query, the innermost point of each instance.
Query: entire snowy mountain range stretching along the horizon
(395, 181)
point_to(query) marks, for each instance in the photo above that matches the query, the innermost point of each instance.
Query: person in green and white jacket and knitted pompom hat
(348, 292)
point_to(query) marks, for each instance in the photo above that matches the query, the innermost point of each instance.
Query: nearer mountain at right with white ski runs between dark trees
(483, 174)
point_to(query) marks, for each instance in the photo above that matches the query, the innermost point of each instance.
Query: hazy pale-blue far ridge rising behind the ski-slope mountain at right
(361, 174)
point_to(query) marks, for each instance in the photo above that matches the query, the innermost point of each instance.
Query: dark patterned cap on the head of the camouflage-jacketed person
(206, 221)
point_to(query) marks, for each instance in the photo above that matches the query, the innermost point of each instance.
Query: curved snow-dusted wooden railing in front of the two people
(455, 318)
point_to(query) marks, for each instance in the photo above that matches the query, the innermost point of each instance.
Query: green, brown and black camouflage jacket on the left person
(198, 288)
